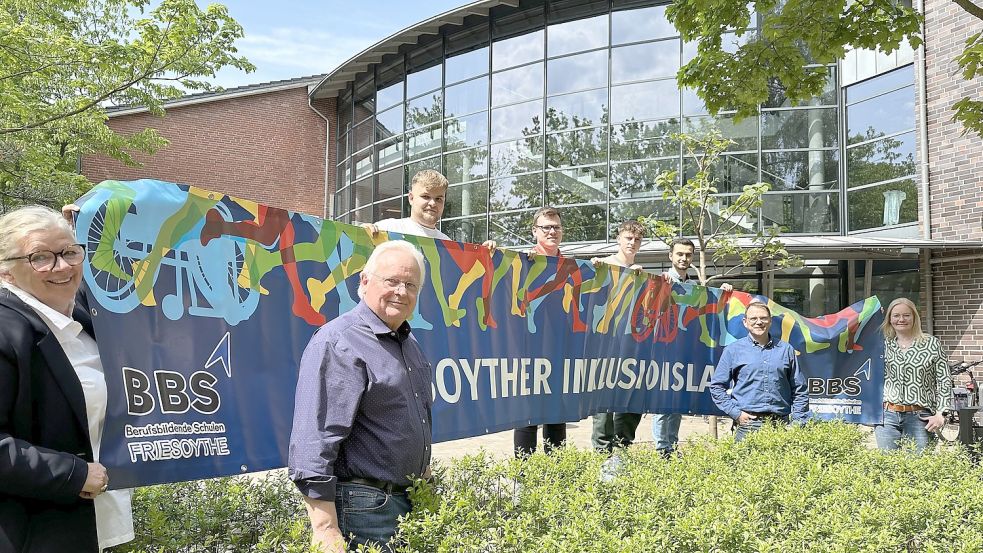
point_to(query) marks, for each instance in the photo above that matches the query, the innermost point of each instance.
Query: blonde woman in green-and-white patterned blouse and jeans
(917, 388)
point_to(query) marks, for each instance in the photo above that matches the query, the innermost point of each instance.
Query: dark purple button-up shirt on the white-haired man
(362, 407)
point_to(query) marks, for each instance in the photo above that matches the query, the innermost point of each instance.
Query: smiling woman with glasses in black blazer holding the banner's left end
(53, 490)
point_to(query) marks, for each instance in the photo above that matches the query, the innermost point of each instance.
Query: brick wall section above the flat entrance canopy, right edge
(955, 161)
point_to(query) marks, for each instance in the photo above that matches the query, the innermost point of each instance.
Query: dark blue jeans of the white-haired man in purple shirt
(368, 515)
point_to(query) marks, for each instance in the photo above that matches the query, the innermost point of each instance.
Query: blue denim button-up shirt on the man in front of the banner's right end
(765, 379)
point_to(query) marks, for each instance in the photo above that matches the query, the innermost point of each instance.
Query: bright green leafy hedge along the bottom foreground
(815, 488)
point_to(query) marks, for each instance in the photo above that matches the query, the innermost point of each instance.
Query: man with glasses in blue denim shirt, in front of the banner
(763, 376)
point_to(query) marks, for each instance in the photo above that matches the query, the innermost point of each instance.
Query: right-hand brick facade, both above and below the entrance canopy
(956, 182)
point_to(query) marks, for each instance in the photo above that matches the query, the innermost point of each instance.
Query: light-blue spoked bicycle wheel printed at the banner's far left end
(109, 268)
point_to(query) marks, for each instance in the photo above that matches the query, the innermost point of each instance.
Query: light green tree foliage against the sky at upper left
(63, 62)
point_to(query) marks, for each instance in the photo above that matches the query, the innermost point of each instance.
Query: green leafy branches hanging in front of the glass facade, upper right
(741, 56)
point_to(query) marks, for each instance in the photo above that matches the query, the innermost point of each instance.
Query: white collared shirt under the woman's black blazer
(114, 515)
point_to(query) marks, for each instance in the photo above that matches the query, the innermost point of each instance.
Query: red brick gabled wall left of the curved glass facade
(266, 147)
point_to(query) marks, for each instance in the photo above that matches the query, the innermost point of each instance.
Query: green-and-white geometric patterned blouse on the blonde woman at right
(918, 375)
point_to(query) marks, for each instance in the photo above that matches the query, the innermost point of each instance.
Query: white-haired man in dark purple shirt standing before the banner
(362, 426)
